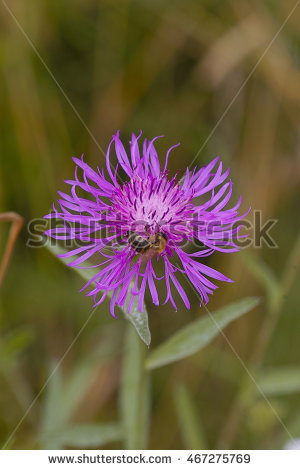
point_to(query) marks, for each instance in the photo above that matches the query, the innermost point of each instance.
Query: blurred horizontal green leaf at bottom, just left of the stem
(88, 435)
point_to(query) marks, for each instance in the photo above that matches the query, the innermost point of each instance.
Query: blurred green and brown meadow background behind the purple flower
(169, 68)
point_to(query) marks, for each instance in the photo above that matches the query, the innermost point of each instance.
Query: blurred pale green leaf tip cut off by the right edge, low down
(280, 381)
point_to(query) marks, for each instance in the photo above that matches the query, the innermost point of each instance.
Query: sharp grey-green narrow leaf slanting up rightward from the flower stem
(198, 334)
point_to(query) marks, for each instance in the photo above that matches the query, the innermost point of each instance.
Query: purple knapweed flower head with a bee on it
(137, 215)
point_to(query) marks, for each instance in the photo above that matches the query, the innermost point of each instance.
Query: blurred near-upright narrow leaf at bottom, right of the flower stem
(189, 422)
